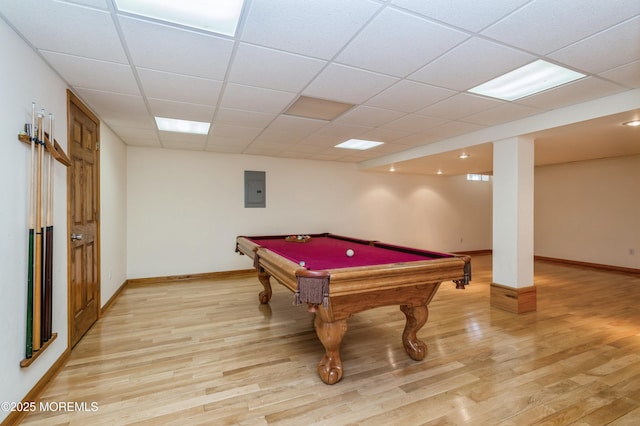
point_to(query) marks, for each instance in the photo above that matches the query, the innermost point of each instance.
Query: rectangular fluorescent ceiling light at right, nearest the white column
(535, 77)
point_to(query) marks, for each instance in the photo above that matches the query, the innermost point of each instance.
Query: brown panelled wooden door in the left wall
(83, 210)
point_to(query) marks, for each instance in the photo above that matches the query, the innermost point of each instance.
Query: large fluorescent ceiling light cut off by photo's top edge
(220, 16)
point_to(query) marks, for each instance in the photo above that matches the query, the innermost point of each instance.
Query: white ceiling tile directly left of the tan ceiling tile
(237, 96)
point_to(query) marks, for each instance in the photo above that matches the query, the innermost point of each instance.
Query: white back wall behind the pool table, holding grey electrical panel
(186, 208)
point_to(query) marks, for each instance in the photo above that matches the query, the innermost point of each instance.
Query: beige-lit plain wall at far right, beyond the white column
(589, 211)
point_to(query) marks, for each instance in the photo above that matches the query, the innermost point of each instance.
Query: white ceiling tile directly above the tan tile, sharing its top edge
(346, 84)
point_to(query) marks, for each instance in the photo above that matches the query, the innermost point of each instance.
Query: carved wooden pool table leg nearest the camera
(330, 334)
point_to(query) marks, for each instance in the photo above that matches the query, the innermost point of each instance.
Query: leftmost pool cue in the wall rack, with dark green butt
(29, 337)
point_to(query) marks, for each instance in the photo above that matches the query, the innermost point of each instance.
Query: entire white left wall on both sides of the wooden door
(25, 79)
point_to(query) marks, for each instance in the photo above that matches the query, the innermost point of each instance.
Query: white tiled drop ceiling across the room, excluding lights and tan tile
(405, 65)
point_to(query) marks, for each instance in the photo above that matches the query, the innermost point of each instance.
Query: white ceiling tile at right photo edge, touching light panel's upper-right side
(594, 54)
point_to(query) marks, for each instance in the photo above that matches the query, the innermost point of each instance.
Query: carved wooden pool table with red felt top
(338, 276)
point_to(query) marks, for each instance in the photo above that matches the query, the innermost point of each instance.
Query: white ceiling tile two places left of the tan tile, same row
(180, 88)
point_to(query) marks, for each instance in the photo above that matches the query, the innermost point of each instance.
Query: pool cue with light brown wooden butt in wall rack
(37, 286)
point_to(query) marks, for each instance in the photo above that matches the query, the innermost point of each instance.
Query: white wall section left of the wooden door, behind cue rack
(25, 79)
